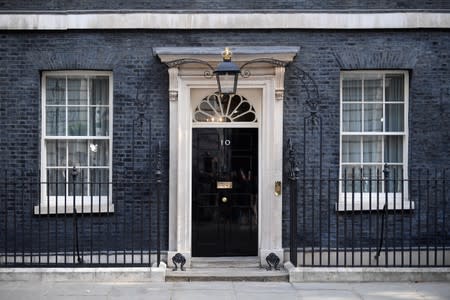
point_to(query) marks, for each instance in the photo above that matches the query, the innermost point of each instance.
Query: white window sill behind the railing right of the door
(352, 202)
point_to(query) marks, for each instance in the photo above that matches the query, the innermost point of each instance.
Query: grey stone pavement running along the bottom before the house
(33, 290)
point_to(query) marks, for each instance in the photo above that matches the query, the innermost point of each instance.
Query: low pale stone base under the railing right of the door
(357, 274)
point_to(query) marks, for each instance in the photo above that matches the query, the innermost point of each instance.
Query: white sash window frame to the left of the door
(85, 203)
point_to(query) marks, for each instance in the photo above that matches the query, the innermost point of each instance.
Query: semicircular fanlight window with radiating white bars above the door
(224, 108)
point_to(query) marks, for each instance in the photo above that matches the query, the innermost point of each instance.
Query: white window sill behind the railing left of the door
(85, 205)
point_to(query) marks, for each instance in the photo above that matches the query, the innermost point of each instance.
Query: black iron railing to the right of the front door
(379, 219)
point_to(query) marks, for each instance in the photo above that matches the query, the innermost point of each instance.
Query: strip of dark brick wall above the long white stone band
(220, 5)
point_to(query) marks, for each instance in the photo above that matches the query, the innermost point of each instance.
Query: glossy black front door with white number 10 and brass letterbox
(224, 191)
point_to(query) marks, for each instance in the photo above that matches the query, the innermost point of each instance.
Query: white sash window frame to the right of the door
(349, 201)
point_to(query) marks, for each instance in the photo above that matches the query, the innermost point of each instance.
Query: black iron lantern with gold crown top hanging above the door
(227, 74)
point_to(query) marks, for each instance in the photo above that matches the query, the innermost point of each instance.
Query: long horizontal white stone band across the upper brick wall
(206, 20)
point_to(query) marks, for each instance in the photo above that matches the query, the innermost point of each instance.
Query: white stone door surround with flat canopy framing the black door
(268, 80)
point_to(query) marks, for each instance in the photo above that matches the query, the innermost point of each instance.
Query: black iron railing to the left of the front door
(43, 224)
